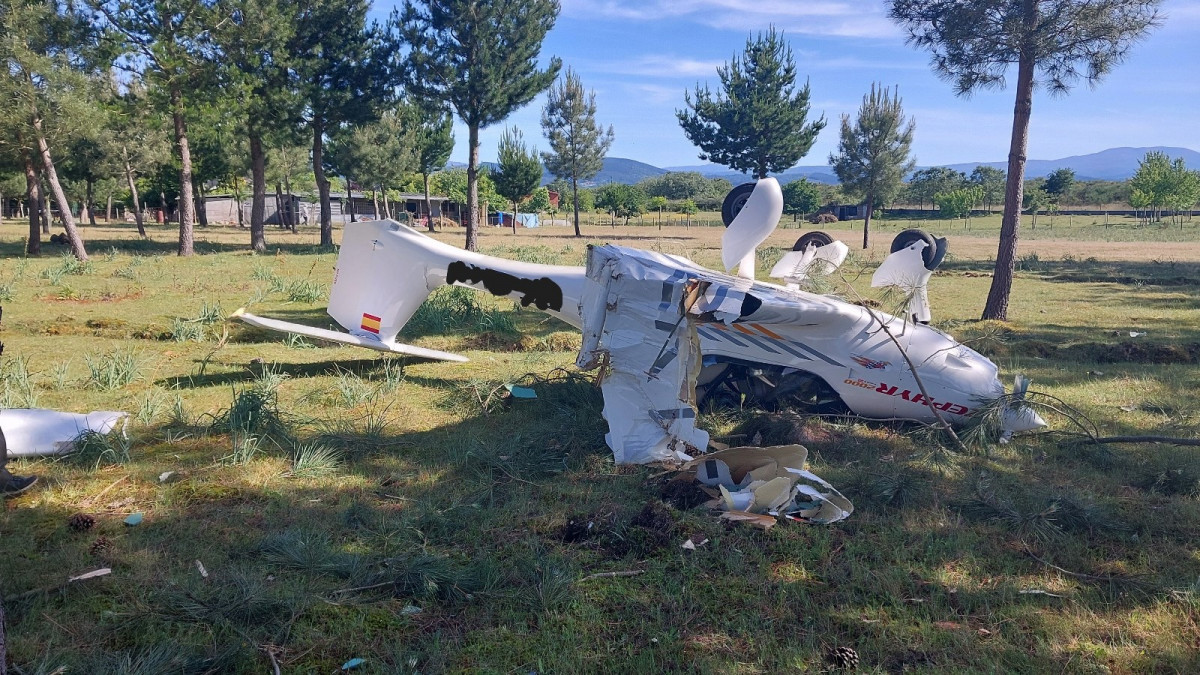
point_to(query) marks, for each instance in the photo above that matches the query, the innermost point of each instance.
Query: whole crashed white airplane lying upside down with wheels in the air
(673, 331)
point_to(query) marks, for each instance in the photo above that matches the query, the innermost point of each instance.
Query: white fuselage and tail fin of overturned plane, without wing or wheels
(386, 271)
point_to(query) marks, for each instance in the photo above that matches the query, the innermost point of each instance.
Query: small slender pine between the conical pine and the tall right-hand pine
(874, 153)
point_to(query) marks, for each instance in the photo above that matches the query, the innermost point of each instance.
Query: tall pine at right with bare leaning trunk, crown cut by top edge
(1058, 43)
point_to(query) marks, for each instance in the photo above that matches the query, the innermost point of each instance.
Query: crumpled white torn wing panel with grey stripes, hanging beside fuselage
(635, 316)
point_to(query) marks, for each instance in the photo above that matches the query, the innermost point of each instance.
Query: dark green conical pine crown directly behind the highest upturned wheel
(759, 122)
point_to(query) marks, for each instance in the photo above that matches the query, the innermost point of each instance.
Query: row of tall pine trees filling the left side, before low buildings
(262, 87)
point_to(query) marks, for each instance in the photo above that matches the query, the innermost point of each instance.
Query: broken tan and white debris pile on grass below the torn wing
(770, 482)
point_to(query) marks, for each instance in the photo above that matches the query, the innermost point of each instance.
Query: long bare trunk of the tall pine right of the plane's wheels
(1015, 192)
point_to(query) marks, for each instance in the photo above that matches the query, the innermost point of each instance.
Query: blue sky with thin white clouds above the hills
(641, 56)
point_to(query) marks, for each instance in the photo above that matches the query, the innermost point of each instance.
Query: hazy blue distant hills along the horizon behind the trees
(1115, 164)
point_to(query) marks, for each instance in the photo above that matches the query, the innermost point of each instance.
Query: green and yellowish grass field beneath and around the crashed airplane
(349, 506)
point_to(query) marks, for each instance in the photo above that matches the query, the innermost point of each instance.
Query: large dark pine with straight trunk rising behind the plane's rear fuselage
(482, 58)
